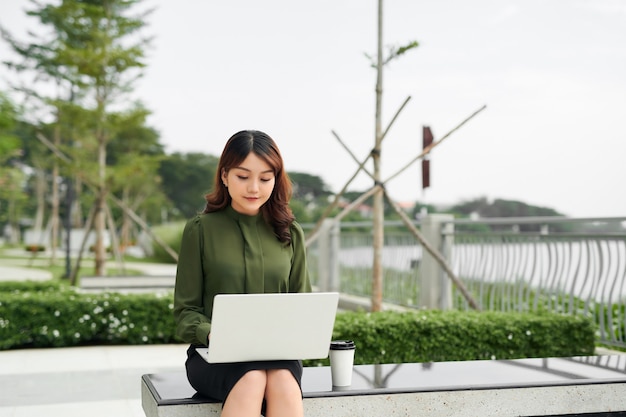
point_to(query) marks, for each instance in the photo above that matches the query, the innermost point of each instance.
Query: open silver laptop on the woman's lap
(255, 327)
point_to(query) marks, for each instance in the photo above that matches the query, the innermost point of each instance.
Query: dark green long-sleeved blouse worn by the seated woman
(226, 252)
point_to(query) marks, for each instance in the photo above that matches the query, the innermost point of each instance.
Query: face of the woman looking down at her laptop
(250, 184)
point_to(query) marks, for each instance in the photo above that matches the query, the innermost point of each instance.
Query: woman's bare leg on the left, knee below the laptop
(246, 397)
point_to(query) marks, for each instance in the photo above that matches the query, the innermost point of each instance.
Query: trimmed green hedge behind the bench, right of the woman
(436, 336)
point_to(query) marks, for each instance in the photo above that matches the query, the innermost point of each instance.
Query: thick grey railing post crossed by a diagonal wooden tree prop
(435, 288)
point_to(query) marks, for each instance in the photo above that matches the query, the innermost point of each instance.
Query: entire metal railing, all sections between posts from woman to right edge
(570, 266)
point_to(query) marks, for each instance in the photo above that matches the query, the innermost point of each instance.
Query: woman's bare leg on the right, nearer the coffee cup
(282, 394)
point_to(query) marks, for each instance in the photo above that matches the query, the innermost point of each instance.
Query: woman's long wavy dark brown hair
(276, 210)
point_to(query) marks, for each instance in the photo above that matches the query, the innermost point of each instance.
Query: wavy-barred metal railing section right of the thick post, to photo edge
(573, 266)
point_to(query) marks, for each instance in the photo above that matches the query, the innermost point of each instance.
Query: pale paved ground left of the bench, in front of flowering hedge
(93, 381)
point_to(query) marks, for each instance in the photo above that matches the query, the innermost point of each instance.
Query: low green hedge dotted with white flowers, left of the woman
(36, 315)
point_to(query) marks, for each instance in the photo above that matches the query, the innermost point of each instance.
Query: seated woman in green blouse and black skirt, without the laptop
(245, 241)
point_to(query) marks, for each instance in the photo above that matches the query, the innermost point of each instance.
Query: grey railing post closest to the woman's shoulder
(328, 247)
